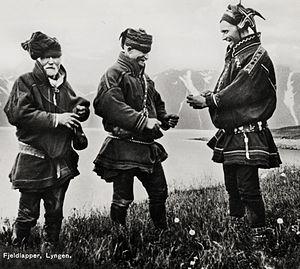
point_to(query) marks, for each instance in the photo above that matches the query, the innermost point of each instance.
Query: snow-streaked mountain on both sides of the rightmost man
(171, 86)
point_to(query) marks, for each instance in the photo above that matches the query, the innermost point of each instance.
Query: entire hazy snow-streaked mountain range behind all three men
(173, 86)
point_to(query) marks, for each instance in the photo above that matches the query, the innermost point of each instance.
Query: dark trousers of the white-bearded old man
(29, 211)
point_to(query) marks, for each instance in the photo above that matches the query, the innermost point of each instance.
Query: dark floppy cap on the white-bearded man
(41, 45)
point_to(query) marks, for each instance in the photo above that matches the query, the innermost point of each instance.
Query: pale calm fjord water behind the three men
(189, 166)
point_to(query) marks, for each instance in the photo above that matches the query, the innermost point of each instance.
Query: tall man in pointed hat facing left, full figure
(240, 105)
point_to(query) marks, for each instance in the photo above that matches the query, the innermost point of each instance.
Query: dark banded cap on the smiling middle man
(137, 39)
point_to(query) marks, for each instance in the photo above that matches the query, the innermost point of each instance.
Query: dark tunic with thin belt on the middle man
(126, 97)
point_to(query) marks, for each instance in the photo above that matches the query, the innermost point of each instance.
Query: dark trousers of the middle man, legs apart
(157, 190)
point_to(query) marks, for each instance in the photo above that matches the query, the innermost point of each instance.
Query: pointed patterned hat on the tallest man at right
(241, 17)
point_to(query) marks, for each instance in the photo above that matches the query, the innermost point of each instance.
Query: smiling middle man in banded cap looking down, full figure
(133, 114)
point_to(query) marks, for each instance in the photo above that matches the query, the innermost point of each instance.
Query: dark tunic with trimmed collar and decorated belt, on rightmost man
(242, 102)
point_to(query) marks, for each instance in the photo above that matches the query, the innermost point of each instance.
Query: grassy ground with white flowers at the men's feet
(199, 234)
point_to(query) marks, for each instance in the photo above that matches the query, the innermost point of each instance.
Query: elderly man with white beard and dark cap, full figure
(47, 115)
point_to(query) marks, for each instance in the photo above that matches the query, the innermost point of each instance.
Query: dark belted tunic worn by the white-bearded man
(46, 156)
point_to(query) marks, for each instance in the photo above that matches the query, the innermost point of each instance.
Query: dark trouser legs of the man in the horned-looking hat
(242, 185)
